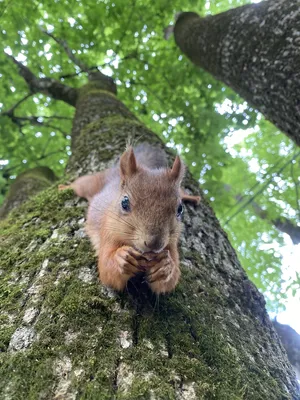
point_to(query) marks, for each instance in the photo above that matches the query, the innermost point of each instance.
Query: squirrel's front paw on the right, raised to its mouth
(164, 275)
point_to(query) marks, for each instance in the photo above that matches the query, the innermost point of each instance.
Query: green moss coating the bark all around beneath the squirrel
(79, 321)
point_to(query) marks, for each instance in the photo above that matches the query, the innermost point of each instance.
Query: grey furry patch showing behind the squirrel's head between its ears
(150, 156)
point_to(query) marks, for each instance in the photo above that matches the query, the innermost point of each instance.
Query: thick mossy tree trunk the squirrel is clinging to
(65, 336)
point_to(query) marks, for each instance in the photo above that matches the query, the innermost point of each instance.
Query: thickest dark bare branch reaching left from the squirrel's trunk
(47, 86)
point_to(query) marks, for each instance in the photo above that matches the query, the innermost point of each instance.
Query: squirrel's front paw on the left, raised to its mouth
(128, 259)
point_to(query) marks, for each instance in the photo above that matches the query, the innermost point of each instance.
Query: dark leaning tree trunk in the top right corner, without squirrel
(254, 49)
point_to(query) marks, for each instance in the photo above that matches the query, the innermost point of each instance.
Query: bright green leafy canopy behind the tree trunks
(183, 104)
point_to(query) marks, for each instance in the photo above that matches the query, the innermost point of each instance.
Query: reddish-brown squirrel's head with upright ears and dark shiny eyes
(149, 206)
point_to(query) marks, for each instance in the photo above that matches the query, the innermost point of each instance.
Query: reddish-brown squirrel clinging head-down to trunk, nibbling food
(134, 217)
